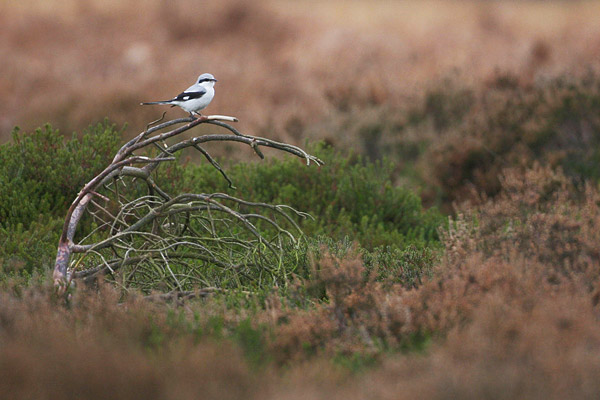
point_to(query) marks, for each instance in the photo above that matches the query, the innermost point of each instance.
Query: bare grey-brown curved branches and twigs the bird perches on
(125, 229)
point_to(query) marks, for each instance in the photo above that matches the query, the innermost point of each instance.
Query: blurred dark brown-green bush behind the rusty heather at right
(454, 140)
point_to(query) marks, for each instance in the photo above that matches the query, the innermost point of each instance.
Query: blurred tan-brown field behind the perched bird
(284, 66)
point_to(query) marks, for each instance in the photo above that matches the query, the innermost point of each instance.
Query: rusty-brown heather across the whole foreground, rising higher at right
(511, 312)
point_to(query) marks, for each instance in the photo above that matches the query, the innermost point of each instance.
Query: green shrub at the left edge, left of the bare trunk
(40, 174)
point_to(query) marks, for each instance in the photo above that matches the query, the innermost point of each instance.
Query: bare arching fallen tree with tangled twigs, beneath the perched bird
(161, 237)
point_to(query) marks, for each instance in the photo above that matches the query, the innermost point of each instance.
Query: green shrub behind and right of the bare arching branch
(348, 197)
